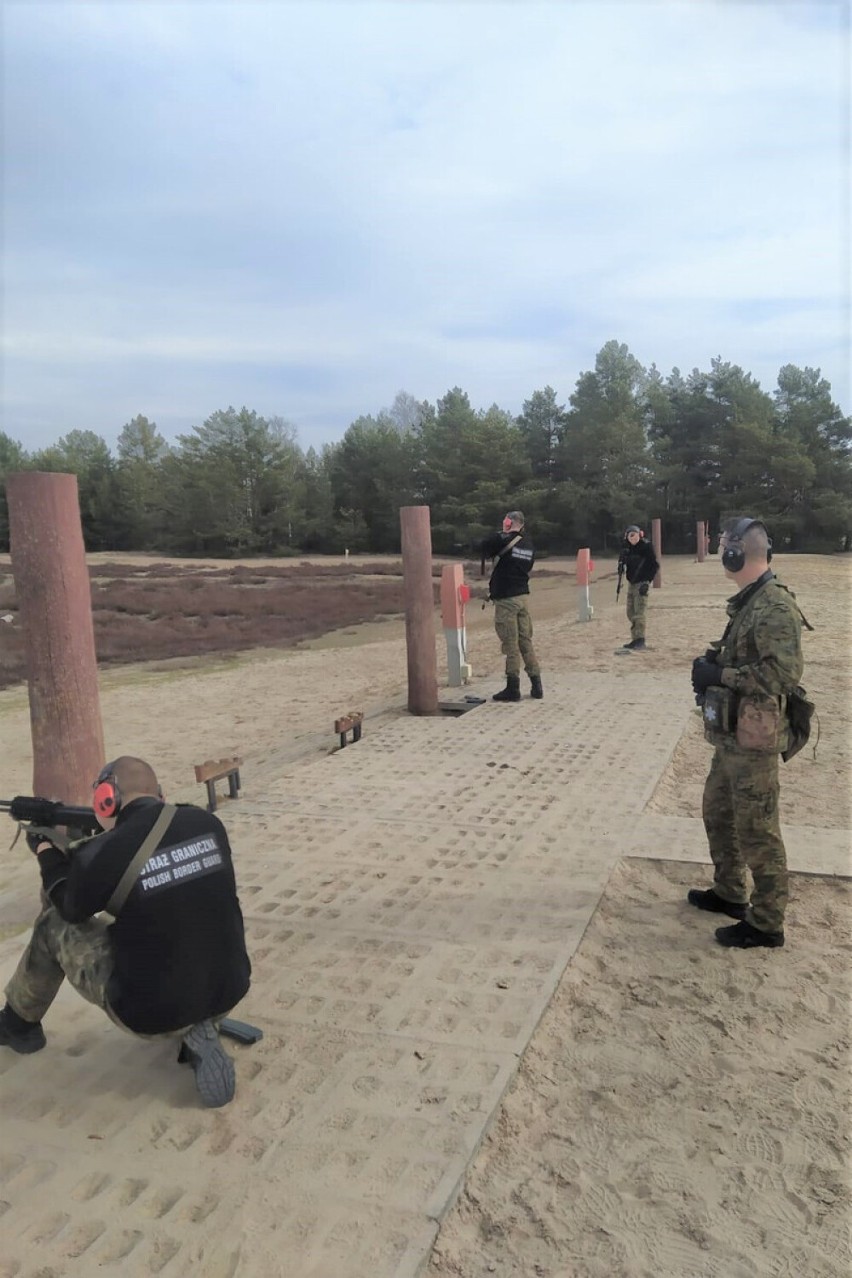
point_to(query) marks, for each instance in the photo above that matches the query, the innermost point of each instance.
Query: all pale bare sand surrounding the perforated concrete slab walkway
(675, 1116)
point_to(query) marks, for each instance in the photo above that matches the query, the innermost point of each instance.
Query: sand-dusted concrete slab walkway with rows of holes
(407, 941)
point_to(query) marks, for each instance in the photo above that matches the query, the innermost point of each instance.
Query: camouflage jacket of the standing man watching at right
(762, 649)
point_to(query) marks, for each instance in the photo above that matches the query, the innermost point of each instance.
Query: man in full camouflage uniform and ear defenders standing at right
(761, 660)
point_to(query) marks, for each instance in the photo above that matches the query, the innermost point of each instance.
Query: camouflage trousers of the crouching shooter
(58, 950)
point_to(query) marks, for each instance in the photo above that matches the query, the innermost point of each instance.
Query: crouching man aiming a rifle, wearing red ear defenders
(172, 959)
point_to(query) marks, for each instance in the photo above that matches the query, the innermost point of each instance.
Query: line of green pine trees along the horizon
(630, 445)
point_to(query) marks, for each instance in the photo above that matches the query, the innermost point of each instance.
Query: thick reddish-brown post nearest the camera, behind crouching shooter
(56, 603)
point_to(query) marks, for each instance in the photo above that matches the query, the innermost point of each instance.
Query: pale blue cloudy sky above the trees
(307, 208)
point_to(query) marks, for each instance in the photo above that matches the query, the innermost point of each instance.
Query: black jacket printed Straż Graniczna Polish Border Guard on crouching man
(178, 944)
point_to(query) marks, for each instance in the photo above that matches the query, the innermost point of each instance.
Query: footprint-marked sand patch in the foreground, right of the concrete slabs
(678, 1114)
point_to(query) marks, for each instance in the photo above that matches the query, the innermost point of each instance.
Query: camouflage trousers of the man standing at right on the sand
(744, 831)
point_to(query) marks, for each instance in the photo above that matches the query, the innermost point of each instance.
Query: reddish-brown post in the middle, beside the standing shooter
(420, 610)
